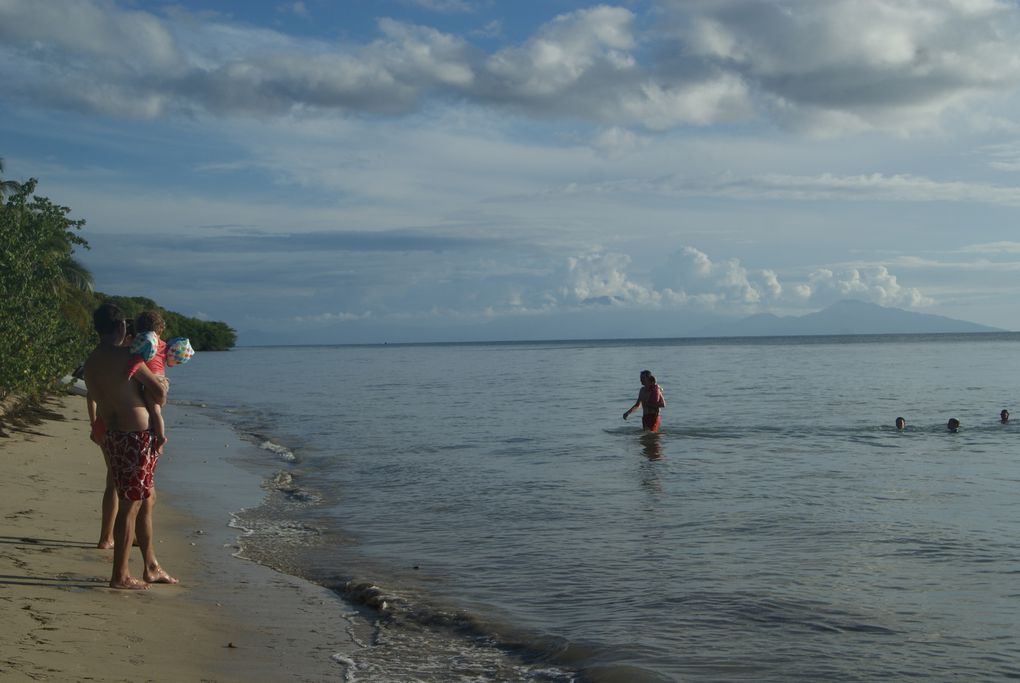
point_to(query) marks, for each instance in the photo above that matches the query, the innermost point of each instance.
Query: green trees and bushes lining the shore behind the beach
(47, 297)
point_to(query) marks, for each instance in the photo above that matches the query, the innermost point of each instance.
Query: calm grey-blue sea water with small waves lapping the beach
(517, 529)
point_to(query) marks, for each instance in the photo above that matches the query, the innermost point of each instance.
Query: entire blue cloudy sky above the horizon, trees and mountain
(339, 172)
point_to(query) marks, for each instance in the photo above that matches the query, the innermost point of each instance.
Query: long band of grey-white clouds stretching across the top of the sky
(903, 68)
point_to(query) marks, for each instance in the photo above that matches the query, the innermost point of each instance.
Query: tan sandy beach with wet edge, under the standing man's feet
(230, 620)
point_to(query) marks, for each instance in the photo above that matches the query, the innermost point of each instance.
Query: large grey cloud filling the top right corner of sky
(861, 65)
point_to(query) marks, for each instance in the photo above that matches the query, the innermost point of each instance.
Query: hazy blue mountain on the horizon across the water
(845, 318)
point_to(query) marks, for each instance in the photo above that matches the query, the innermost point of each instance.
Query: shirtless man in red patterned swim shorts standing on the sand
(129, 443)
